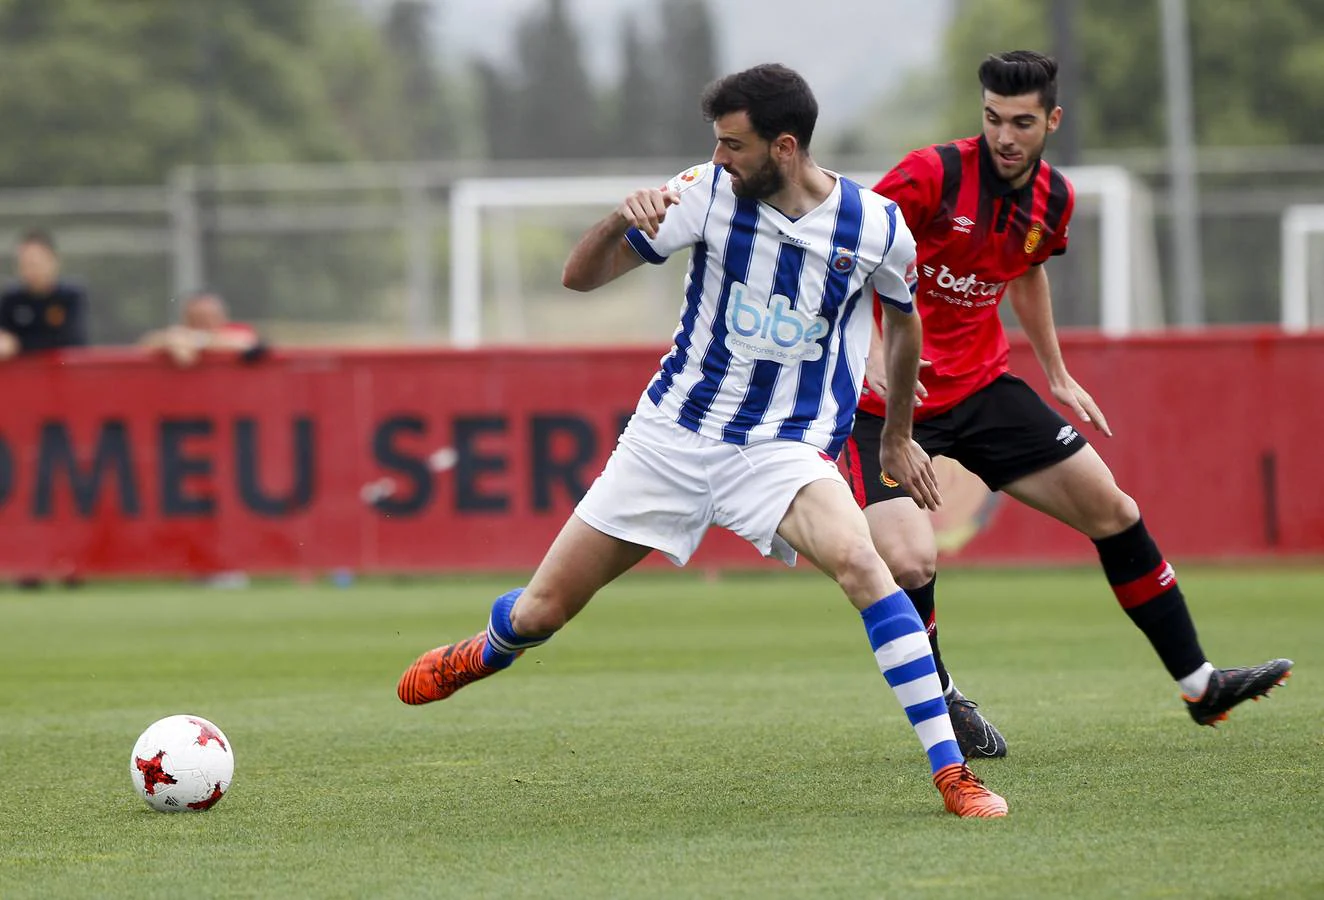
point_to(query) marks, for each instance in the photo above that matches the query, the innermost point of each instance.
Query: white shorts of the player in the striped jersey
(665, 486)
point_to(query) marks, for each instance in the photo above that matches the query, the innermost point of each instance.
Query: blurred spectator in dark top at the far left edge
(42, 312)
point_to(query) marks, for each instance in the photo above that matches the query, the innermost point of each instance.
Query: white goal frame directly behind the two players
(1127, 298)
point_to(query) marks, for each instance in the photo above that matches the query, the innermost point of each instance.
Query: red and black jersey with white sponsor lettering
(975, 234)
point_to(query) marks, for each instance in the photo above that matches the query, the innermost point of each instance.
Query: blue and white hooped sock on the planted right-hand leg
(900, 643)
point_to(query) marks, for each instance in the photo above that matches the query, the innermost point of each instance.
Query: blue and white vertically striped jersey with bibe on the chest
(774, 337)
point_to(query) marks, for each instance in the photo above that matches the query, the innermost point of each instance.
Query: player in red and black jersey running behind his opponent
(987, 214)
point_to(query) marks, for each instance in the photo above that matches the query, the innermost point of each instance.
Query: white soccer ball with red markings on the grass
(182, 764)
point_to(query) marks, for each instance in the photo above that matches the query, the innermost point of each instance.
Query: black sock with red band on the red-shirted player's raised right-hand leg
(1147, 590)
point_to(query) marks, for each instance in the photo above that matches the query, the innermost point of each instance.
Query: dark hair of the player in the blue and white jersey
(777, 100)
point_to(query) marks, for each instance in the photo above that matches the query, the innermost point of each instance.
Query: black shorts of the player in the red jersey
(1002, 433)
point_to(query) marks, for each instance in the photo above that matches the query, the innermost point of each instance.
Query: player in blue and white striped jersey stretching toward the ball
(742, 424)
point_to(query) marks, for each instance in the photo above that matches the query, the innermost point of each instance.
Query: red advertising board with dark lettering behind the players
(316, 460)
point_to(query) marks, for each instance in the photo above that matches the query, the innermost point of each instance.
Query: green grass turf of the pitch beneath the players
(683, 739)
